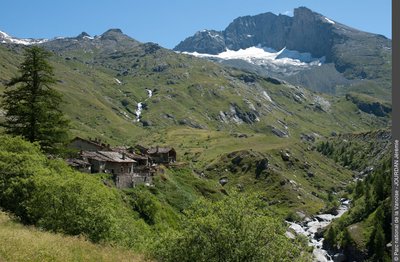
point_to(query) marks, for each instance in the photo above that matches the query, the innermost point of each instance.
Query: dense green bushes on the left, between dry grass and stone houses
(49, 194)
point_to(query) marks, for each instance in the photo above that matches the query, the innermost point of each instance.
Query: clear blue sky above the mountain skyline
(167, 22)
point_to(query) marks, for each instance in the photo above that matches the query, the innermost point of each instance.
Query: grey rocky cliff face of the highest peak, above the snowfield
(307, 32)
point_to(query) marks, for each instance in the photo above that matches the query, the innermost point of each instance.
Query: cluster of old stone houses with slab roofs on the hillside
(129, 166)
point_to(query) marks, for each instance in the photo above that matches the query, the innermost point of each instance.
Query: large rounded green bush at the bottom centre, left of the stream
(234, 229)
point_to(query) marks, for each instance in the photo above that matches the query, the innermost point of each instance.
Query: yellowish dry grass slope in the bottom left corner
(21, 243)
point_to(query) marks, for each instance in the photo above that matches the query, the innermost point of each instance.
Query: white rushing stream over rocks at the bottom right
(311, 227)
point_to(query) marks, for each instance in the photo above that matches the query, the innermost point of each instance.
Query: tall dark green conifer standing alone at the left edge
(32, 106)
